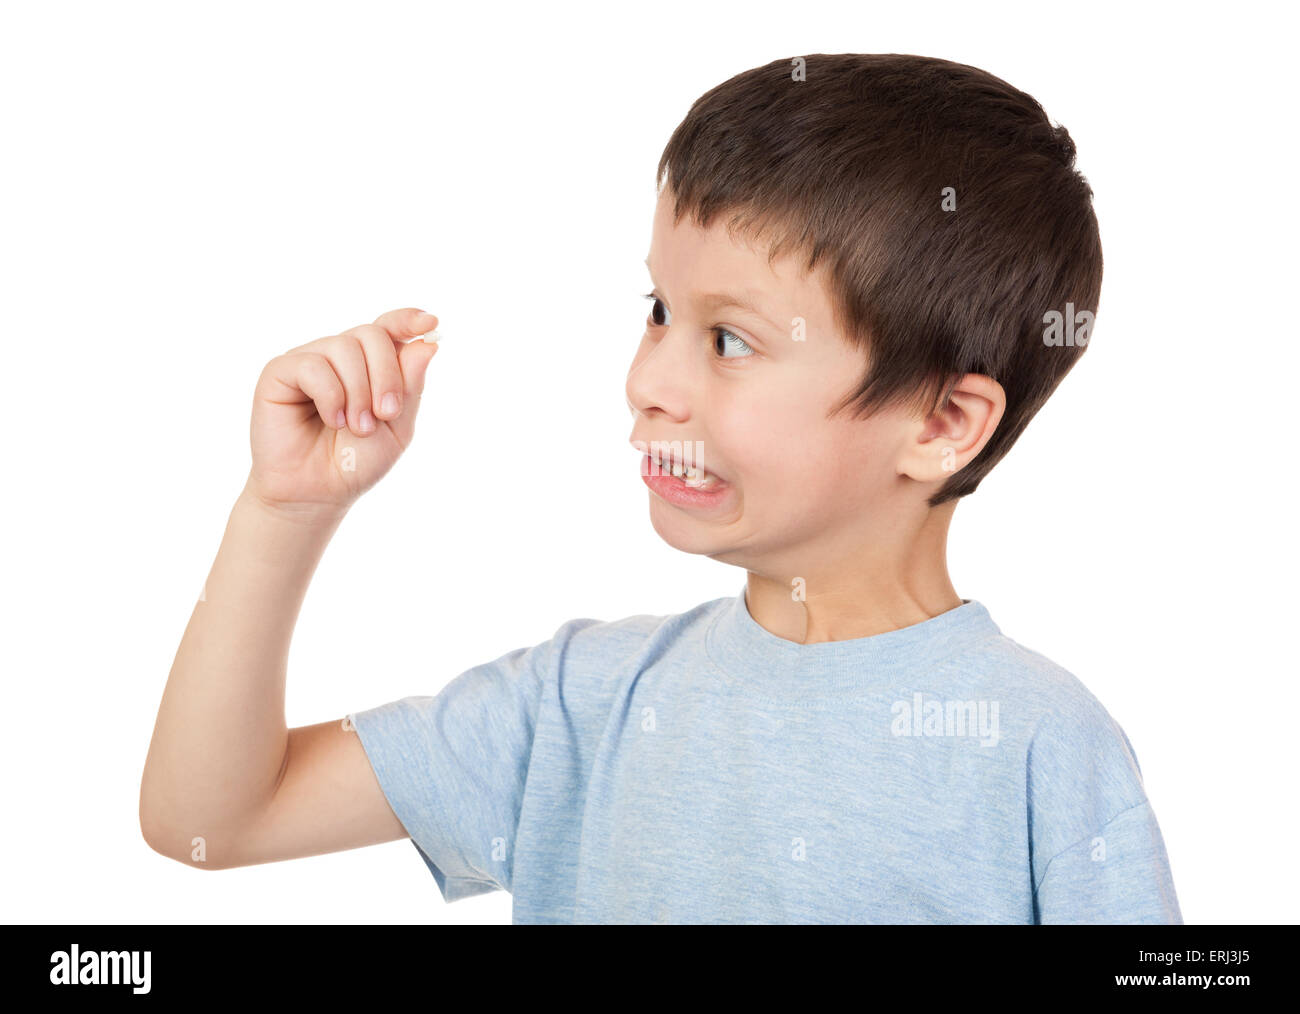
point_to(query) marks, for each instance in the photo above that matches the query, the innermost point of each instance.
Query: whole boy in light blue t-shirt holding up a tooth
(844, 742)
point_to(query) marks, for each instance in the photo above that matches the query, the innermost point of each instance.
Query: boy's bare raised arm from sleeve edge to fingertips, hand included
(226, 782)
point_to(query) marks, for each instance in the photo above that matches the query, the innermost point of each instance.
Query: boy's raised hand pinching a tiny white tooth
(331, 418)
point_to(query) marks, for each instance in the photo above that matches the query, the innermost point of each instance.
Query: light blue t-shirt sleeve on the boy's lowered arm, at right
(1098, 853)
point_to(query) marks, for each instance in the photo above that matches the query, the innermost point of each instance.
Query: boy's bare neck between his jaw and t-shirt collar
(864, 591)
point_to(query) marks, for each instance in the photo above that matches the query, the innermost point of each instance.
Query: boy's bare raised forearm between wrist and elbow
(220, 739)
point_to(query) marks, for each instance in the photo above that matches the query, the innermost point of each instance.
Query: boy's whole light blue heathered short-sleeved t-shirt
(697, 769)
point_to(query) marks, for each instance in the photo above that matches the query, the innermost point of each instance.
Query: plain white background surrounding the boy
(190, 190)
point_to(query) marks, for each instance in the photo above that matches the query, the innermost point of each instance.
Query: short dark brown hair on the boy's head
(851, 163)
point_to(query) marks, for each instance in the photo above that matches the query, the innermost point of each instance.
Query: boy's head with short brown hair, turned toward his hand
(905, 229)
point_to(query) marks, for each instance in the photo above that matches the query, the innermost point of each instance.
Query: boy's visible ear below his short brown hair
(950, 439)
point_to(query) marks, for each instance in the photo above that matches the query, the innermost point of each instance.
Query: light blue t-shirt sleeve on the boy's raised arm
(453, 766)
